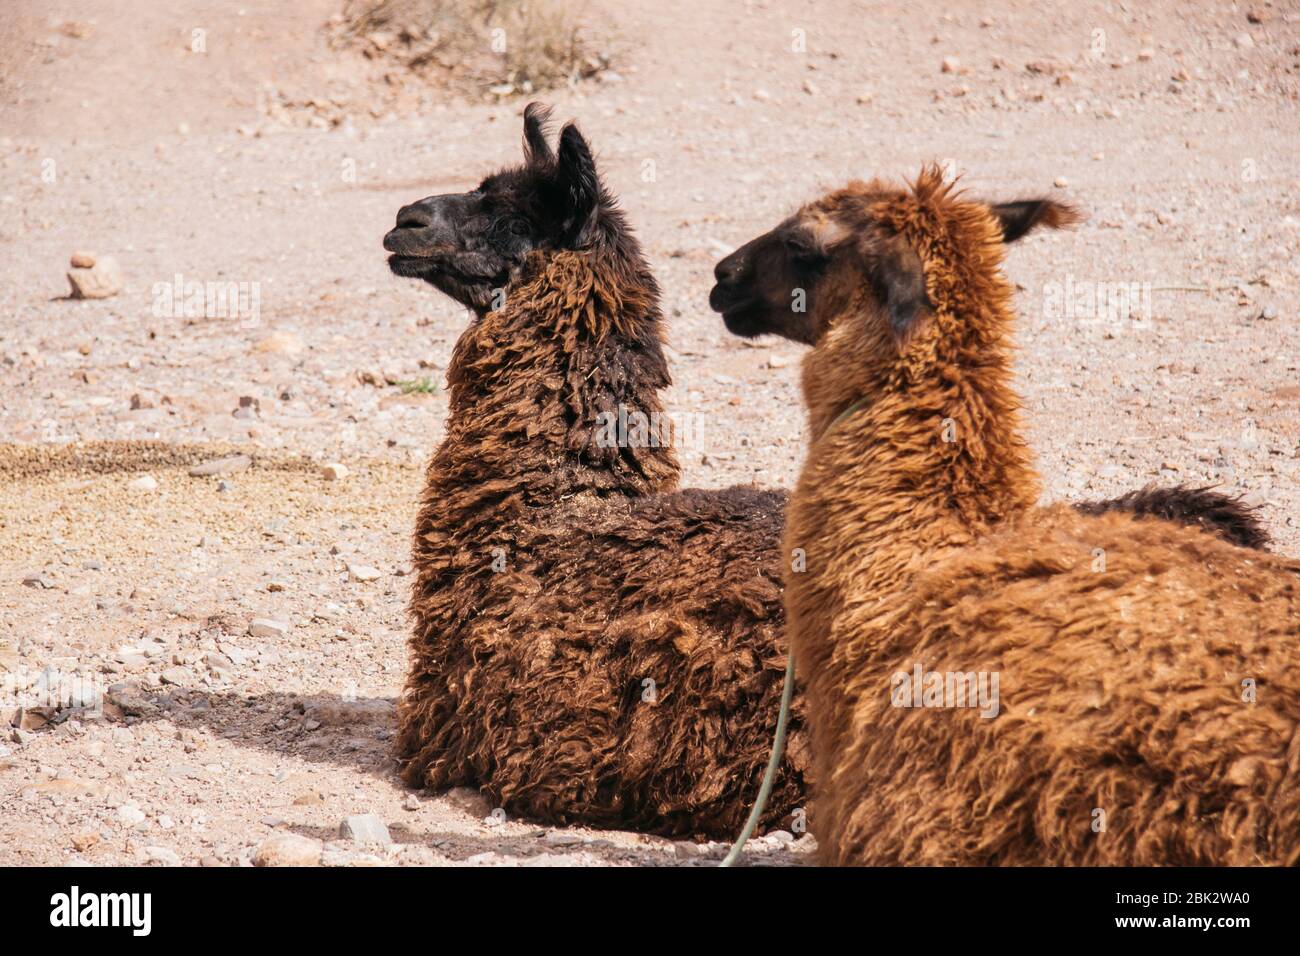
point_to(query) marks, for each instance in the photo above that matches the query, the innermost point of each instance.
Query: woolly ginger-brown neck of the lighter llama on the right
(904, 466)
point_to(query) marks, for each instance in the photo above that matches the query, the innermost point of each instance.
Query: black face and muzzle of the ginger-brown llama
(769, 284)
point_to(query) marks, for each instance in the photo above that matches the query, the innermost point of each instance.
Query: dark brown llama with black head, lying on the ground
(591, 646)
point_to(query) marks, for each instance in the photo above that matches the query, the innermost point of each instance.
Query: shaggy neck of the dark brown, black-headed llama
(532, 384)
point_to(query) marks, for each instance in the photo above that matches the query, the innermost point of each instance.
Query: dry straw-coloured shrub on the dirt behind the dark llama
(496, 46)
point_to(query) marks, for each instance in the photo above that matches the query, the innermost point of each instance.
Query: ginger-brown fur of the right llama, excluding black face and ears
(1128, 650)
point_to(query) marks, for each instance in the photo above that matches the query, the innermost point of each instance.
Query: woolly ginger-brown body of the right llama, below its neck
(1145, 711)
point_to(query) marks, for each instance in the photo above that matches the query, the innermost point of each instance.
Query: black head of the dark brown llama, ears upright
(471, 245)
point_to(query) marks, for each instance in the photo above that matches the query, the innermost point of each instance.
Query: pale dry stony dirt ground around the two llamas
(1175, 127)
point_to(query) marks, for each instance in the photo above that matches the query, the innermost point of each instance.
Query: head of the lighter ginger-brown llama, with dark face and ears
(877, 256)
